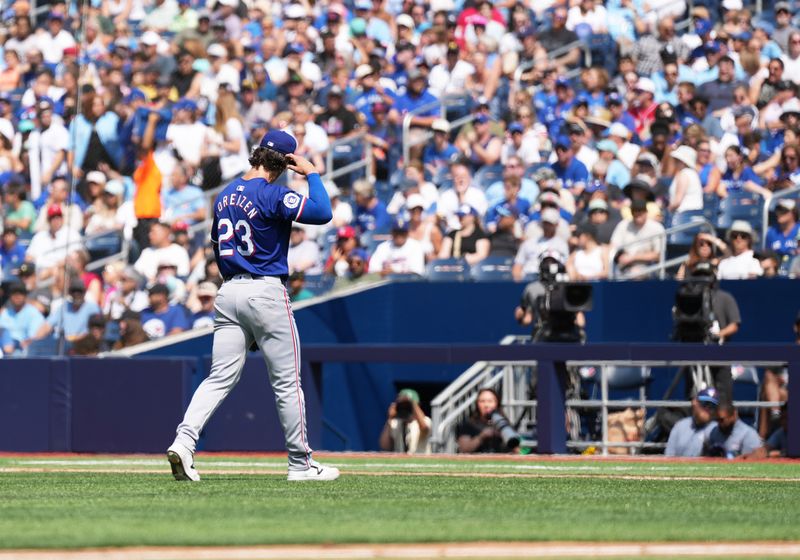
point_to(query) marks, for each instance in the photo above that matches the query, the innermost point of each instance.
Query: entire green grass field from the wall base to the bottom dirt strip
(67, 502)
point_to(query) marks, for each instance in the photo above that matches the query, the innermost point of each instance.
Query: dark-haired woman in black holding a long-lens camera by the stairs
(487, 430)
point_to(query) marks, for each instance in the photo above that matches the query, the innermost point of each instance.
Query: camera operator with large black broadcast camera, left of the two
(530, 311)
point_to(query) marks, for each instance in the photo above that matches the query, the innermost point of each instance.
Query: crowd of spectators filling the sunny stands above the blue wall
(489, 132)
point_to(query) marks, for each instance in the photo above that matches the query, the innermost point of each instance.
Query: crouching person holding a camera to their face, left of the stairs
(407, 429)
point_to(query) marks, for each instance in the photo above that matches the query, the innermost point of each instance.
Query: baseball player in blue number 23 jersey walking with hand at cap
(250, 235)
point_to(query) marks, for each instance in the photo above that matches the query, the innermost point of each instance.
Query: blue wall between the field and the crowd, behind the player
(121, 404)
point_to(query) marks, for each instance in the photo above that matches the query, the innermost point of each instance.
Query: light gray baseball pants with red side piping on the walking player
(253, 309)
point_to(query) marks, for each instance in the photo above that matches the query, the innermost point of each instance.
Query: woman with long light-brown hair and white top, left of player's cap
(230, 139)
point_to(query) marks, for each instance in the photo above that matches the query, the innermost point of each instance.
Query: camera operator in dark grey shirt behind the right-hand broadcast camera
(718, 319)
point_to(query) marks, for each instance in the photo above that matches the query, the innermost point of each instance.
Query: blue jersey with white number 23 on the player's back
(252, 222)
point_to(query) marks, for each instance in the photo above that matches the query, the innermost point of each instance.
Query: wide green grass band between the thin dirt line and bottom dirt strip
(67, 510)
